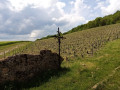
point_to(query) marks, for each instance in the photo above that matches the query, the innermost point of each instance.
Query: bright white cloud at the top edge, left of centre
(18, 5)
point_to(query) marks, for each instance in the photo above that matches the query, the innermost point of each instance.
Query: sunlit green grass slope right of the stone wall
(84, 74)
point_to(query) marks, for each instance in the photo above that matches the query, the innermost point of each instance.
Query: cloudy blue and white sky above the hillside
(33, 19)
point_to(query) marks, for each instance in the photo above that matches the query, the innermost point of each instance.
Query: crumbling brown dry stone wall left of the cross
(23, 67)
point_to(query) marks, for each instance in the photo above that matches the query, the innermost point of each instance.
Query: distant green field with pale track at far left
(8, 47)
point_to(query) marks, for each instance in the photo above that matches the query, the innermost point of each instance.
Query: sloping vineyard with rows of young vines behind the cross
(78, 44)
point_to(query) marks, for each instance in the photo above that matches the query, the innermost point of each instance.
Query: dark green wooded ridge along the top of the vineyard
(99, 21)
